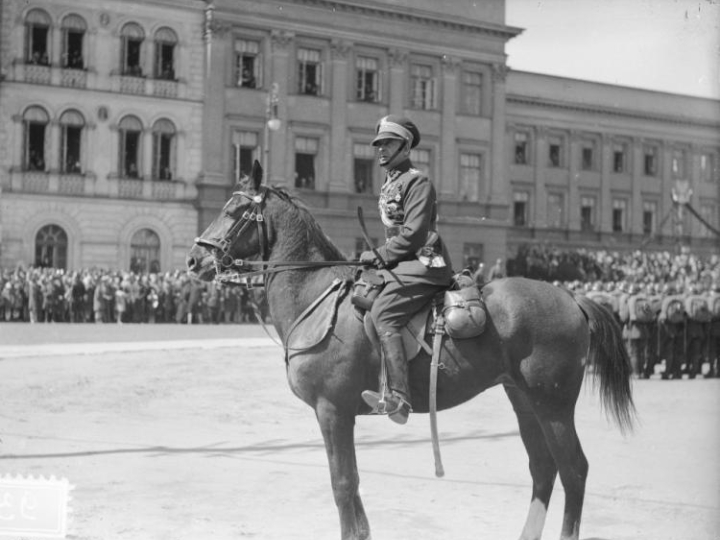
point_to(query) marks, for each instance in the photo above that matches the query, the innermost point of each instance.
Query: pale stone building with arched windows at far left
(101, 107)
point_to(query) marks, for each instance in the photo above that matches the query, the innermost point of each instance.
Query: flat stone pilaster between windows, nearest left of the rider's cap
(339, 180)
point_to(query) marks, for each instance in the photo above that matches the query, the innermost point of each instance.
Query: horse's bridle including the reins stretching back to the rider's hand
(231, 270)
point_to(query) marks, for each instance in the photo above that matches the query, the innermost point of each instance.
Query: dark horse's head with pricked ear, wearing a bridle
(235, 234)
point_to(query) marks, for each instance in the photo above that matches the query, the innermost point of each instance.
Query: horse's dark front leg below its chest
(338, 429)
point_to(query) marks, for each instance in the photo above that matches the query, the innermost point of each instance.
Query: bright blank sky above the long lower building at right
(665, 45)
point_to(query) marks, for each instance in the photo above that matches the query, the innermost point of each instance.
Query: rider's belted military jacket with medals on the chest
(408, 208)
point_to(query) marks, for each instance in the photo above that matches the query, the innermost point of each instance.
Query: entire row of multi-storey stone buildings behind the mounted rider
(124, 126)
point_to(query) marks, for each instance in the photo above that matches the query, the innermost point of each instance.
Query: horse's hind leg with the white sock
(542, 464)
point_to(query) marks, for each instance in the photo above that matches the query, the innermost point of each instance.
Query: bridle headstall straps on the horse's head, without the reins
(220, 249)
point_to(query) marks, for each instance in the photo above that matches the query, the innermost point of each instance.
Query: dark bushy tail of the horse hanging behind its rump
(608, 357)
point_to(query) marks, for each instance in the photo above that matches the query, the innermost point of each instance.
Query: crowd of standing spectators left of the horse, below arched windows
(102, 296)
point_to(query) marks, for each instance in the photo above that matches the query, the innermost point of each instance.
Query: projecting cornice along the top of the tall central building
(414, 17)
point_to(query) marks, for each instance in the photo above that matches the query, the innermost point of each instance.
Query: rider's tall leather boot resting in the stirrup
(395, 403)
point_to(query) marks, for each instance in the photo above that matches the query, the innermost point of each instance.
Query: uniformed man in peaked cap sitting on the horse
(413, 251)
